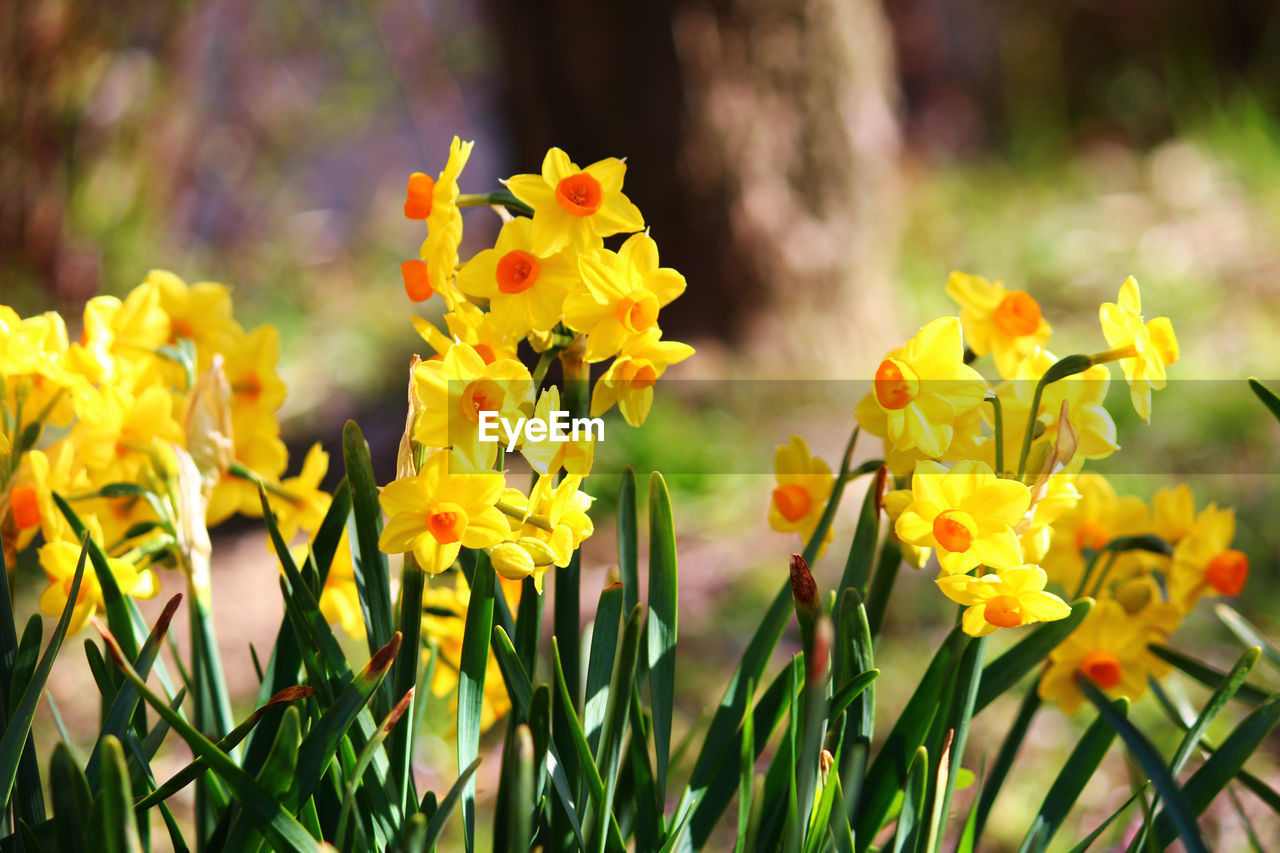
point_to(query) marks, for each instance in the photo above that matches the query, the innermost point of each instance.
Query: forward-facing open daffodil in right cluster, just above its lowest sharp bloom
(967, 514)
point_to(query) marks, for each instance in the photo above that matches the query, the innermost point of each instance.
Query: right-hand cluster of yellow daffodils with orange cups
(994, 485)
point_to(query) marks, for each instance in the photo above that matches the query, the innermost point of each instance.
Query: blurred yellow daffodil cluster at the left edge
(157, 423)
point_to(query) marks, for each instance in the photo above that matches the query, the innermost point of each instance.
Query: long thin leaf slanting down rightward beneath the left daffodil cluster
(277, 824)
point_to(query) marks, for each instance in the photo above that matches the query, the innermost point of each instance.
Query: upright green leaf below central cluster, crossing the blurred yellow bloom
(472, 670)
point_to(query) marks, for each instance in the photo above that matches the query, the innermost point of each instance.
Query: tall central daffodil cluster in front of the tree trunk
(548, 282)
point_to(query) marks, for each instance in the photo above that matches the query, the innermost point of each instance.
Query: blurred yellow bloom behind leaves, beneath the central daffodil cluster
(445, 609)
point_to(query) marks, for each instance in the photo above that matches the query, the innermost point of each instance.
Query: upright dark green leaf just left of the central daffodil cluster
(369, 564)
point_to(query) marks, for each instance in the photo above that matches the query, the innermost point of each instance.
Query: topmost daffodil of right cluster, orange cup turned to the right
(998, 321)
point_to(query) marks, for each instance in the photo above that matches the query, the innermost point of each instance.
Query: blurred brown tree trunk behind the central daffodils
(762, 144)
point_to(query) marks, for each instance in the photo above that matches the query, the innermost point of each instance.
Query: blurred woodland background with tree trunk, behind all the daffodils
(815, 170)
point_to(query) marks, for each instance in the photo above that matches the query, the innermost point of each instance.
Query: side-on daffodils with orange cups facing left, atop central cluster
(436, 200)
